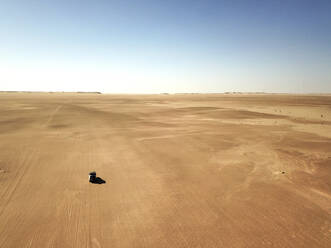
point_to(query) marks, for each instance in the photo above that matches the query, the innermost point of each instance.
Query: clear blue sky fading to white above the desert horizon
(145, 46)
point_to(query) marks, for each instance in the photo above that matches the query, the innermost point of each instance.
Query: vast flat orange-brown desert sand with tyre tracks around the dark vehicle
(181, 170)
